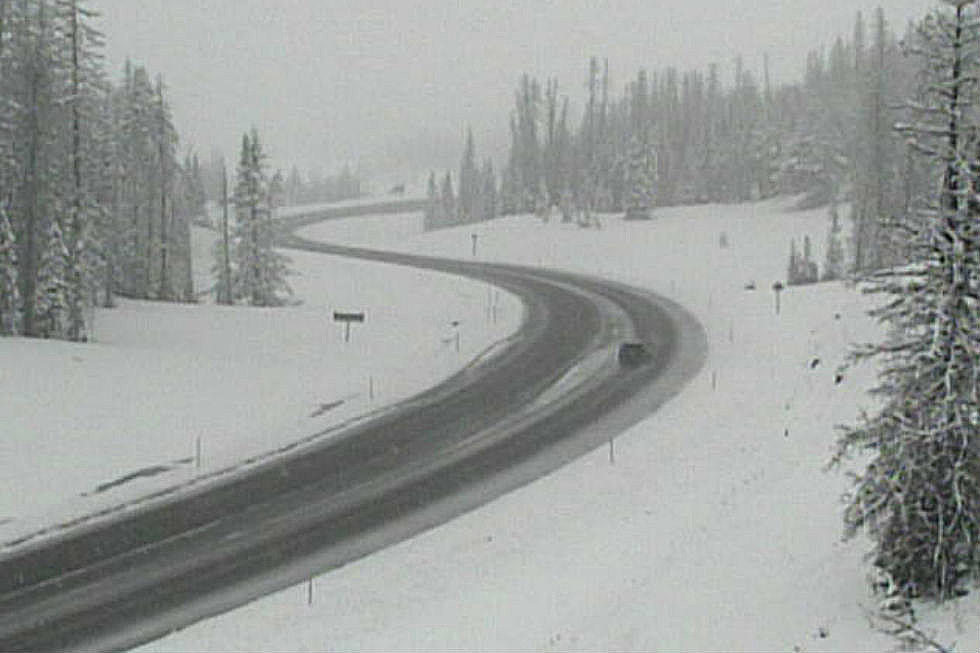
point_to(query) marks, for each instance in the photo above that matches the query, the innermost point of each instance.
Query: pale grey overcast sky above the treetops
(381, 82)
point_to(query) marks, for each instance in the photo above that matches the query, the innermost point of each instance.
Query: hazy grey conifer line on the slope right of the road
(672, 137)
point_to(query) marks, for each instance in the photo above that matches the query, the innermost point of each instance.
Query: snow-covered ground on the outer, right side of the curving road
(715, 529)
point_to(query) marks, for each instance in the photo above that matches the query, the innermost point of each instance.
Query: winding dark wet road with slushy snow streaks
(474, 436)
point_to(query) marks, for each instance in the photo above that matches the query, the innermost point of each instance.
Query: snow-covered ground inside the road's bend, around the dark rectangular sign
(86, 428)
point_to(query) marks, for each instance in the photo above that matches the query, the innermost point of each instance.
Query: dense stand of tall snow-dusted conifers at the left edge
(93, 201)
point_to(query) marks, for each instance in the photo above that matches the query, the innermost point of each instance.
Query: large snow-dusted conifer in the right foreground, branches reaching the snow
(919, 497)
